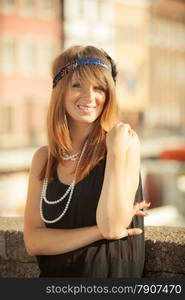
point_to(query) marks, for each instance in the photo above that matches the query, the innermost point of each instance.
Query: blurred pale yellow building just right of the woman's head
(132, 55)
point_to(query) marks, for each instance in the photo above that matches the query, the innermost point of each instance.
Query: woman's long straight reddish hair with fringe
(58, 134)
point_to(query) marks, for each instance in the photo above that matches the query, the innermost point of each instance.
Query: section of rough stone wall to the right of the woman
(165, 251)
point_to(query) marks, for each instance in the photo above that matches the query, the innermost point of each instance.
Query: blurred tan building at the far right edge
(167, 66)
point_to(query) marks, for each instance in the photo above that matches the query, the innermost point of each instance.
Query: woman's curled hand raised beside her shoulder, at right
(119, 139)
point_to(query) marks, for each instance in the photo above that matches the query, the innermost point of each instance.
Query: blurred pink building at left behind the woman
(30, 37)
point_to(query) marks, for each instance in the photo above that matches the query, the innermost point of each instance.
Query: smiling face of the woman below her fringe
(84, 101)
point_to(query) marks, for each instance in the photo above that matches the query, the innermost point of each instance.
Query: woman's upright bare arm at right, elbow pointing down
(115, 207)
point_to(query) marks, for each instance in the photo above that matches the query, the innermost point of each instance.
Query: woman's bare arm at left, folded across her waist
(40, 240)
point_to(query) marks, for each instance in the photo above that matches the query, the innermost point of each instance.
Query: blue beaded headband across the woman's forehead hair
(79, 62)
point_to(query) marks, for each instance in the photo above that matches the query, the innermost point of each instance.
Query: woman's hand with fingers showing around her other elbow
(138, 212)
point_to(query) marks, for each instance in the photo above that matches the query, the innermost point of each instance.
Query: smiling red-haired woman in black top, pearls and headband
(84, 210)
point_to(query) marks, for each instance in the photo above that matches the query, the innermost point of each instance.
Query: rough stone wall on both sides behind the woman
(165, 251)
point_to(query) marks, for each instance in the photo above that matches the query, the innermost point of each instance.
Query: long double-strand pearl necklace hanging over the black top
(68, 191)
